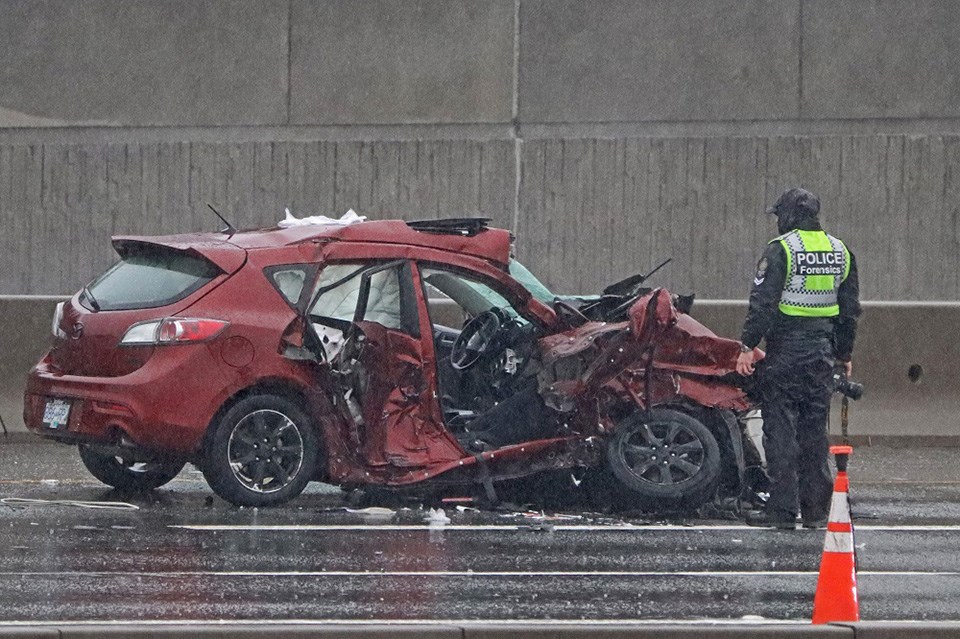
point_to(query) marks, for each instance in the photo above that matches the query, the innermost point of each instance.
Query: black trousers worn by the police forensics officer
(797, 384)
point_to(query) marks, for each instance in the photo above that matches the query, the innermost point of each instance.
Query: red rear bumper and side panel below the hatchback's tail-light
(164, 406)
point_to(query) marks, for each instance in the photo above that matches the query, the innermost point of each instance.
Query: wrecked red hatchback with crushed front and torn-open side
(385, 353)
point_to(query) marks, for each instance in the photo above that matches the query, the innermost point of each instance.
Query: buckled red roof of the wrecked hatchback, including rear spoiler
(484, 242)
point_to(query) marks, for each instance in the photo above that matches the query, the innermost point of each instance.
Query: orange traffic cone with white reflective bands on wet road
(836, 597)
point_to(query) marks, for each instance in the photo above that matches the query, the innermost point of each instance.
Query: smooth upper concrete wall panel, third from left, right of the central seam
(658, 60)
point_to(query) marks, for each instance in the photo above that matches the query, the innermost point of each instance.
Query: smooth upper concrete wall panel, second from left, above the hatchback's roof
(383, 61)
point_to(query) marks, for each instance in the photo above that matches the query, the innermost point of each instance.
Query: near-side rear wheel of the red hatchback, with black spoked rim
(263, 451)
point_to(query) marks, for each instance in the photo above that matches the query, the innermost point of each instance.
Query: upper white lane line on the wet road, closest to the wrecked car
(525, 525)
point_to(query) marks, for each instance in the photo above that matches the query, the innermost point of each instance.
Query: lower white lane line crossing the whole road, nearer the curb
(478, 573)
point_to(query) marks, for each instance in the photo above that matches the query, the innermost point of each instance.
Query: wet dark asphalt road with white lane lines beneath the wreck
(184, 554)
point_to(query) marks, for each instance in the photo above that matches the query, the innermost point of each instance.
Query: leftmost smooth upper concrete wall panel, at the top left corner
(143, 63)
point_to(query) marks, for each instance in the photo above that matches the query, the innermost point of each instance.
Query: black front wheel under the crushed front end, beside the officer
(666, 460)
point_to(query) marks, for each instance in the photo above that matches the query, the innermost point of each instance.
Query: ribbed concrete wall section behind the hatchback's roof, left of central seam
(59, 205)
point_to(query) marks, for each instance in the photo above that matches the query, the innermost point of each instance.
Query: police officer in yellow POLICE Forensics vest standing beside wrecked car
(805, 302)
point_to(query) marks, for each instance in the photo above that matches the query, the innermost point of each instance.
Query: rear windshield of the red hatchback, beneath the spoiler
(146, 278)
